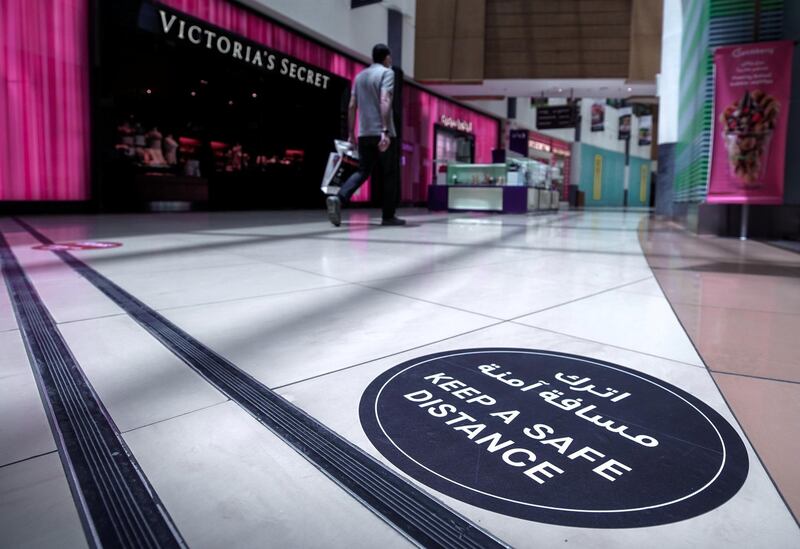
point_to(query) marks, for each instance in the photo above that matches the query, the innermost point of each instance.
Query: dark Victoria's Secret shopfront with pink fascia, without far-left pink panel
(208, 102)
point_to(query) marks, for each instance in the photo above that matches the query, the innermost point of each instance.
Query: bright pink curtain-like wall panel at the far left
(44, 100)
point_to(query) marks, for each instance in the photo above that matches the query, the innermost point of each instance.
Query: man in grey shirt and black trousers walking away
(372, 99)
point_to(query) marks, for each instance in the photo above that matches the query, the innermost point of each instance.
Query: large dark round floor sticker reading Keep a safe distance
(554, 438)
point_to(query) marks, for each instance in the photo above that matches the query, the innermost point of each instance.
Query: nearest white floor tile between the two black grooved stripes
(229, 482)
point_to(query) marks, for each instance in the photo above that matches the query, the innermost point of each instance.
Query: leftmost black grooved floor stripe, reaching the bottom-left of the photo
(117, 506)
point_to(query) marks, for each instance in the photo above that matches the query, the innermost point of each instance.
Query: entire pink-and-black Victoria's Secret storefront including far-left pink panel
(191, 100)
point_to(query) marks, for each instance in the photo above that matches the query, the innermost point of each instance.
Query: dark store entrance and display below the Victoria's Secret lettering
(182, 124)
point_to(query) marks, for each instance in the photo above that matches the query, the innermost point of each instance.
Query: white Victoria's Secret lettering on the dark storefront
(203, 36)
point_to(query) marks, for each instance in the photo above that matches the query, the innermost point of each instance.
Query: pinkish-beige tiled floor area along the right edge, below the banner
(740, 304)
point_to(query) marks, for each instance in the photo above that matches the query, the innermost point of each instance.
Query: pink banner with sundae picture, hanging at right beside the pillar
(752, 84)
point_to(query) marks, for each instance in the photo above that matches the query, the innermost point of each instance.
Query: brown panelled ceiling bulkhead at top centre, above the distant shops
(585, 48)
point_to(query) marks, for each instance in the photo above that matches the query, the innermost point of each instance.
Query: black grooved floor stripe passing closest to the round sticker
(409, 509)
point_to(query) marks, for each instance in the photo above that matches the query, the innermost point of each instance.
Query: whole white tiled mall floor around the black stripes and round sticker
(318, 313)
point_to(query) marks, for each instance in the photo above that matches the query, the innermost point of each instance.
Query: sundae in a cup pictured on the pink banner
(747, 129)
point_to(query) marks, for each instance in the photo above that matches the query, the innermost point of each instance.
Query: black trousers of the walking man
(369, 158)
